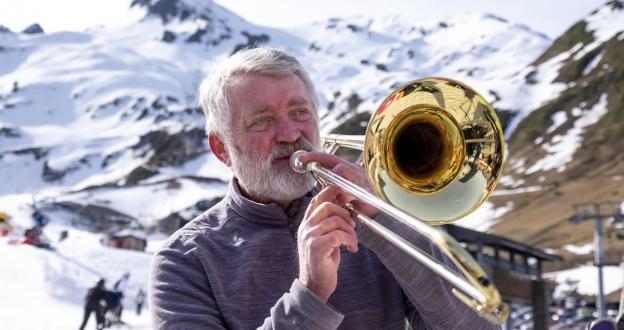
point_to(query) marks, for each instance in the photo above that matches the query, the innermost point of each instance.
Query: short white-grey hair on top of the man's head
(262, 61)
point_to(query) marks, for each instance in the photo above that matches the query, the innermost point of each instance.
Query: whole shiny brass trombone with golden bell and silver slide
(433, 152)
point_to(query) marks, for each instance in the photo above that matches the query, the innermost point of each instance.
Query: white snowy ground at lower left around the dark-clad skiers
(46, 289)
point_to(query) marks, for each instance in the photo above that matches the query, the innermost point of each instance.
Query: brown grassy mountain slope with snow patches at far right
(570, 148)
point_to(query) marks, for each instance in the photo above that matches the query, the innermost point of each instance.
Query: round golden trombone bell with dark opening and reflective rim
(434, 149)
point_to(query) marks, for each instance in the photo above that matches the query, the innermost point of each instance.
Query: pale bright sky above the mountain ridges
(551, 17)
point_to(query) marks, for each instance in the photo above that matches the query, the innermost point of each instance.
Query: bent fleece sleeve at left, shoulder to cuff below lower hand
(181, 297)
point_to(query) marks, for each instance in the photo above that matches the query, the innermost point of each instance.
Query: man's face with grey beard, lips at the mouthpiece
(272, 117)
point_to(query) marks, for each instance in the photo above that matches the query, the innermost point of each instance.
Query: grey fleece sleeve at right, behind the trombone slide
(430, 304)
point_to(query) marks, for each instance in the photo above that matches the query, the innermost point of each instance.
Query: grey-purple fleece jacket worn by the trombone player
(236, 267)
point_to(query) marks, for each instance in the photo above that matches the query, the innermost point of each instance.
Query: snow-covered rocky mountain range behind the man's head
(108, 117)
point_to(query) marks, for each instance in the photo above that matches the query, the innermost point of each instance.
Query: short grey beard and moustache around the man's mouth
(264, 181)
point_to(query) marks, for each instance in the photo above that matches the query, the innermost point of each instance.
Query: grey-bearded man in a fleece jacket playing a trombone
(273, 255)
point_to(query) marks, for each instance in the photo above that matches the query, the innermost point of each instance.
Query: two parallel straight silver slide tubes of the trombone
(407, 247)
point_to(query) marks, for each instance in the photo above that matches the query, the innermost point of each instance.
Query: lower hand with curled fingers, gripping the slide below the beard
(325, 227)
